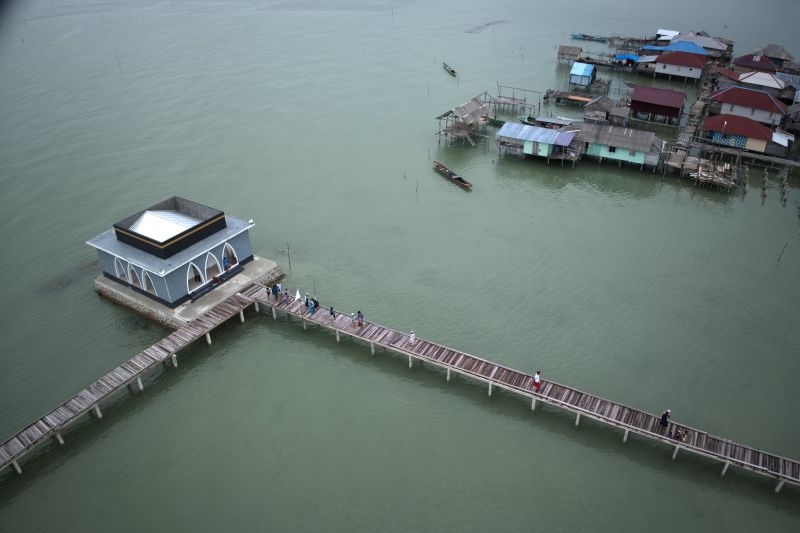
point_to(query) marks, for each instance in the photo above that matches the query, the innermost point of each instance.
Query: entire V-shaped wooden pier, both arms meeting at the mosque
(583, 405)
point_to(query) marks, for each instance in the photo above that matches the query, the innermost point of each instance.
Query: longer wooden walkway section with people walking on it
(582, 404)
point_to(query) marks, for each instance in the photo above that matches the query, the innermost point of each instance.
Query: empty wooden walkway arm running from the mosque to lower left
(128, 374)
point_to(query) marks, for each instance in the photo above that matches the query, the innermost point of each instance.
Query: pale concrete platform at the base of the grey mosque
(259, 270)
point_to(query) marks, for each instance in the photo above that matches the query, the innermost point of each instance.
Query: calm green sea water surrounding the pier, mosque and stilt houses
(317, 119)
